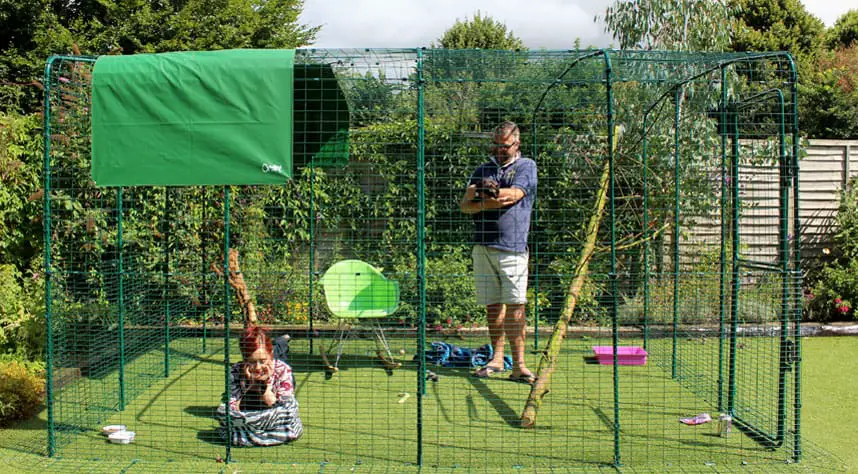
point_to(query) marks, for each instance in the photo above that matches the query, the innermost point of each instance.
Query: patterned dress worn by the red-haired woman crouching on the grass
(269, 426)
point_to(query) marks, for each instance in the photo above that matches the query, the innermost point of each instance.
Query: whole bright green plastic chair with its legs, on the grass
(355, 291)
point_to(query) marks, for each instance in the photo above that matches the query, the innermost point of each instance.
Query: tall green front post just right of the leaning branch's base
(615, 329)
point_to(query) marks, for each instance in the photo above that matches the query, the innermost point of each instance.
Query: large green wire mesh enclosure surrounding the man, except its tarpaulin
(634, 261)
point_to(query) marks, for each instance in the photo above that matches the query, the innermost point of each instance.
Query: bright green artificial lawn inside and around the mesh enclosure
(354, 419)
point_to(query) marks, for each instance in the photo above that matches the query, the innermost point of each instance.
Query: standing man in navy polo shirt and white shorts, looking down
(500, 196)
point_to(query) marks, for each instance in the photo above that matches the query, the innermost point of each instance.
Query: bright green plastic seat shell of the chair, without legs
(356, 289)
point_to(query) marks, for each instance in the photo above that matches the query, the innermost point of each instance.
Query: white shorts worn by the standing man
(500, 276)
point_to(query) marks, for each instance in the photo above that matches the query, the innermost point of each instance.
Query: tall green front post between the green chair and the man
(421, 255)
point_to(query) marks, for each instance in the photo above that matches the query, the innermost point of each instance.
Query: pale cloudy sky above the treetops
(550, 24)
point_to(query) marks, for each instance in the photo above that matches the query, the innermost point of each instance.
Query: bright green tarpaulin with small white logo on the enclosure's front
(193, 118)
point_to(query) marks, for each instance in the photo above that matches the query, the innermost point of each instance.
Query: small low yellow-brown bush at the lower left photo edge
(22, 388)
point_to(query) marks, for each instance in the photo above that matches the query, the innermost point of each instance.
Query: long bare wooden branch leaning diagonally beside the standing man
(548, 361)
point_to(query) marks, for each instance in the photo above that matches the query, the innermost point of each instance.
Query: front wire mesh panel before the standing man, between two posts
(558, 102)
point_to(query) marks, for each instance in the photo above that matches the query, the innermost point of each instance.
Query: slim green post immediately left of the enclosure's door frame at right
(722, 284)
